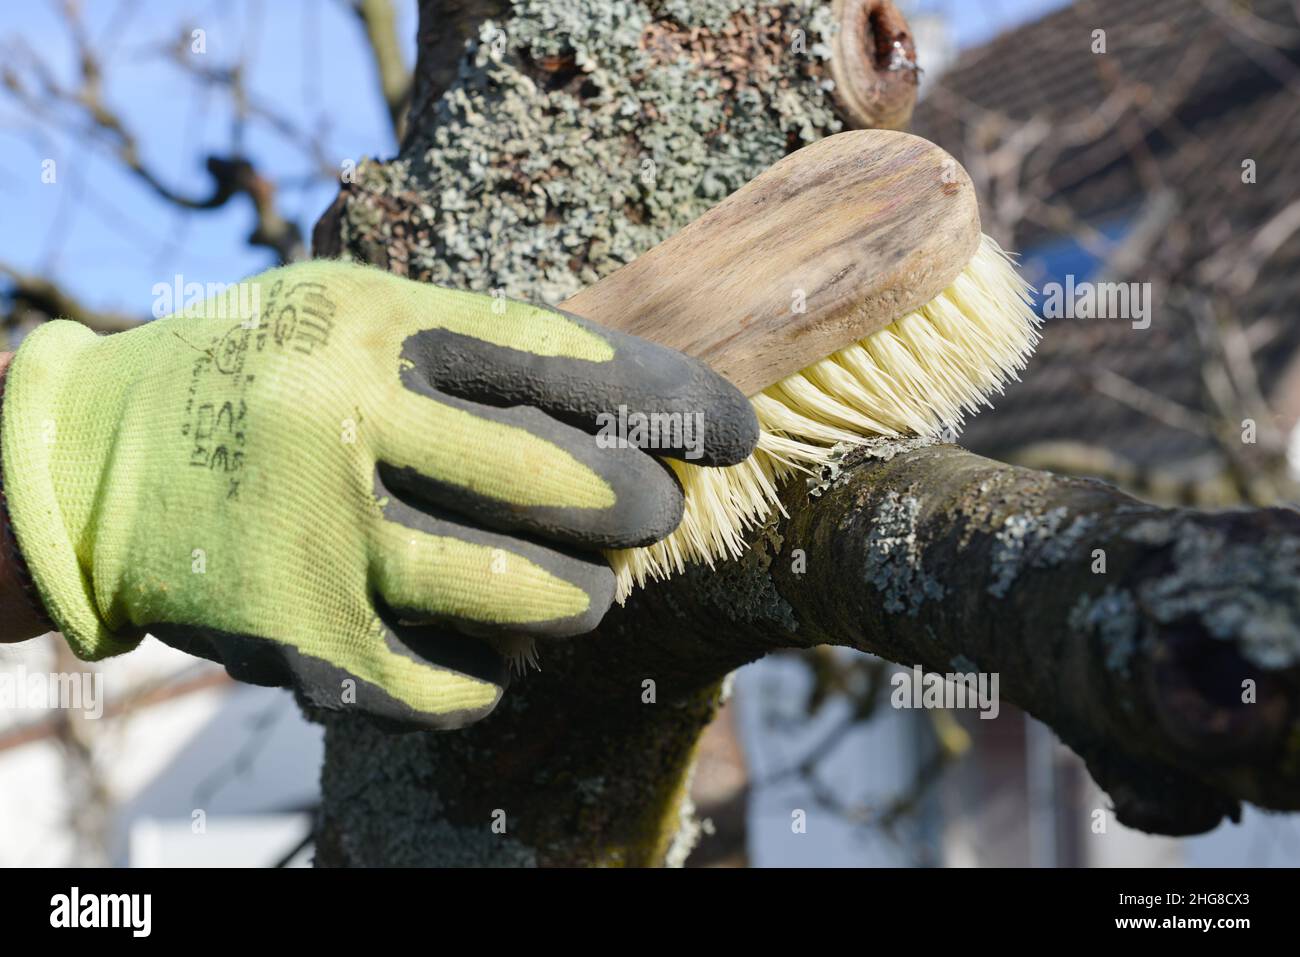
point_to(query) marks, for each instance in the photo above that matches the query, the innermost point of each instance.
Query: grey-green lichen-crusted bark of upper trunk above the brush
(582, 133)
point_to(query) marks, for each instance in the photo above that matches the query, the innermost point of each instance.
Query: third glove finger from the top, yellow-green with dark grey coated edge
(436, 570)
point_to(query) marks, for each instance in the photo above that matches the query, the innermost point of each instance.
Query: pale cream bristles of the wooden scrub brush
(918, 376)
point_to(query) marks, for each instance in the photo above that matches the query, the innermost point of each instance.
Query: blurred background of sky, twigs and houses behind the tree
(1132, 142)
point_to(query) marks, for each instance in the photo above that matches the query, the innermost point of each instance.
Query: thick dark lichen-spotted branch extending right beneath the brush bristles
(942, 558)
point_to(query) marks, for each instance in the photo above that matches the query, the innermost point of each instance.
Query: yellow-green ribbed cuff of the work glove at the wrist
(29, 435)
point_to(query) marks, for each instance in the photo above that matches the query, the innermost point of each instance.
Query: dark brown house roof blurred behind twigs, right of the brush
(1162, 122)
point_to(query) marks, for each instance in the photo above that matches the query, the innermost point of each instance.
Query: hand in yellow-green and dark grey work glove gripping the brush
(343, 480)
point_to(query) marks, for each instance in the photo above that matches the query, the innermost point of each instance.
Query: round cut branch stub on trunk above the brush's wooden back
(874, 66)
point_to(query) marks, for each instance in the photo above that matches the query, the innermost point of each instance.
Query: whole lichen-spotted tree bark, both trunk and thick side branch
(577, 135)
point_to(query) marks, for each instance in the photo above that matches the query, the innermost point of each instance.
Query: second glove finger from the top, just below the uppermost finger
(519, 470)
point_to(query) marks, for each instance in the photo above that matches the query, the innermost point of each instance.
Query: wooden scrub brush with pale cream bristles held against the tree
(851, 293)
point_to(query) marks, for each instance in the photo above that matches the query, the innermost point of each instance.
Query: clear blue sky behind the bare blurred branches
(107, 237)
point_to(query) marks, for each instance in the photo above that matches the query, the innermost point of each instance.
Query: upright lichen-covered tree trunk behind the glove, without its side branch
(577, 136)
